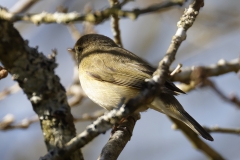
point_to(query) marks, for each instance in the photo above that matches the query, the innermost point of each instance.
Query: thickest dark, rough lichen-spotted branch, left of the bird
(35, 75)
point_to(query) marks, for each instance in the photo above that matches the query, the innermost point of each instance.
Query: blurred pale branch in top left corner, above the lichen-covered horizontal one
(22, 6)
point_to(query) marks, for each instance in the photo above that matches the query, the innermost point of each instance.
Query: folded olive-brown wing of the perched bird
(121, 69)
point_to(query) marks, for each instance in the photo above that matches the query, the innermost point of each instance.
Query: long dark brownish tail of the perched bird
(170, 106)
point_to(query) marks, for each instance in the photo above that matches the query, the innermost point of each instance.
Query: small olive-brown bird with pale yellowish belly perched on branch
(109, 73)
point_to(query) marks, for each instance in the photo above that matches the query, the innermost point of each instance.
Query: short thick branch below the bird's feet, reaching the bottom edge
(119, 139)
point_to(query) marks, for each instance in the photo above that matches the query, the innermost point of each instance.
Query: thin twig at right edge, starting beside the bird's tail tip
(217, 129)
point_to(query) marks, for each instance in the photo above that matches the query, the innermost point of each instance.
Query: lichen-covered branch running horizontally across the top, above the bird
(96, 17)
